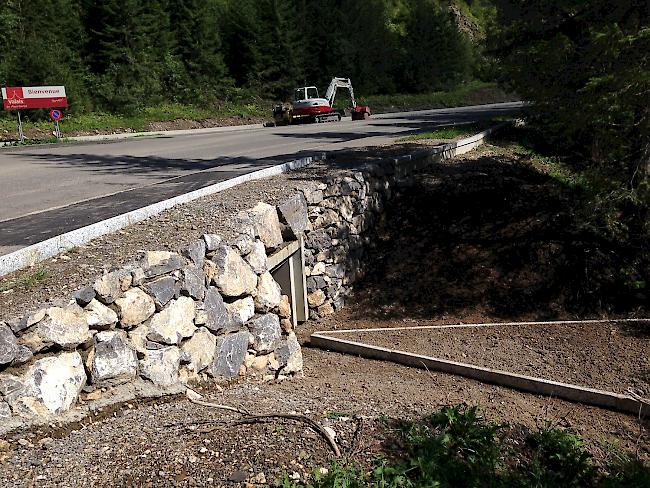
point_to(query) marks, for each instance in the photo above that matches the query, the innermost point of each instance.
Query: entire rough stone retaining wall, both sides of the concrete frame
(212, 310)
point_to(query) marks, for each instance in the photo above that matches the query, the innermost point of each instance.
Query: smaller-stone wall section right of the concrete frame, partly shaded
(346, 216)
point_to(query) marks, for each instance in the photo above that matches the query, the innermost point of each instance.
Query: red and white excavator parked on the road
(307, 105)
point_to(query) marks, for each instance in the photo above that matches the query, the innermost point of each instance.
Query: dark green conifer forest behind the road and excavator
(124, 55)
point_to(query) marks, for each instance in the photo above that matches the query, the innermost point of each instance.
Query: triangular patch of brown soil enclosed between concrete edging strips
(610, 356)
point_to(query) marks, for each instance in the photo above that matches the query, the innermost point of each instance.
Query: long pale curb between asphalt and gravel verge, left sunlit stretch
(41, 251)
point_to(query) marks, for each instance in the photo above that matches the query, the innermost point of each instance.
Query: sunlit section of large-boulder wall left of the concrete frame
(212, 310)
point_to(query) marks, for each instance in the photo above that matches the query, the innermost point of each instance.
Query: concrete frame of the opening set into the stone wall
(287, 267)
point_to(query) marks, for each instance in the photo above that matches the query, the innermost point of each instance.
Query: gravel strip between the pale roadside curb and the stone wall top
(55, 278)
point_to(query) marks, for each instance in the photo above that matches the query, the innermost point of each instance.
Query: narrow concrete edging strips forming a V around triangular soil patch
(529, 384)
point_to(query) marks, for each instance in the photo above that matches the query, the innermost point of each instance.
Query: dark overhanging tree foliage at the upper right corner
(586, 68)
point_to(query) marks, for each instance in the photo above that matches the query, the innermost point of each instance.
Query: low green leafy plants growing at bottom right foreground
(457, 447)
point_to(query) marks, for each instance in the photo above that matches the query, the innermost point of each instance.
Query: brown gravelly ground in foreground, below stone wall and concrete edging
(177, 443)
